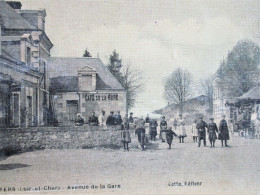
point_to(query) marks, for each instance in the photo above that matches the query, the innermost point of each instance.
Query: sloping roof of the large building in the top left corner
(11, 19)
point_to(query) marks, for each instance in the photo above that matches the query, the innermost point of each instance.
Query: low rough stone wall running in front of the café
(28, 139)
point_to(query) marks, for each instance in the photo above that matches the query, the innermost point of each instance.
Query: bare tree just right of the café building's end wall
(132, 82)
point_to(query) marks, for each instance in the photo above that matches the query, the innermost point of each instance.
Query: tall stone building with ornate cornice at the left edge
(24, 77)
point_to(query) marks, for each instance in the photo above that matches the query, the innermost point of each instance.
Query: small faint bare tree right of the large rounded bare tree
(206, 88)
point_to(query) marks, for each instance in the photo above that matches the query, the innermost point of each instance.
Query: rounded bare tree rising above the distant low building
(178, 87)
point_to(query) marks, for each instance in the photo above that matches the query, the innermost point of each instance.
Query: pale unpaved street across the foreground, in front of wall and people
(233, 170)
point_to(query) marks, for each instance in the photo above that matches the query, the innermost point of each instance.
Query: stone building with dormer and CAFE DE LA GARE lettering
(83, 85)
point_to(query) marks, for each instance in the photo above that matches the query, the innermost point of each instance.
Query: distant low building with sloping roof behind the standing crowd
(191, 109)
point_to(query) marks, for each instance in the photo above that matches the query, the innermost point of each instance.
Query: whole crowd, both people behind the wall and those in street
(176, 127)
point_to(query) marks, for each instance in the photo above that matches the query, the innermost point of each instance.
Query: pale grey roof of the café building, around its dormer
(59, 66)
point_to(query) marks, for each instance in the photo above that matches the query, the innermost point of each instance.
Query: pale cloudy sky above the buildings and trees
(155, 37)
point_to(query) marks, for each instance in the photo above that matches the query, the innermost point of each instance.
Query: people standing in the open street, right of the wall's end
(178, 129)
